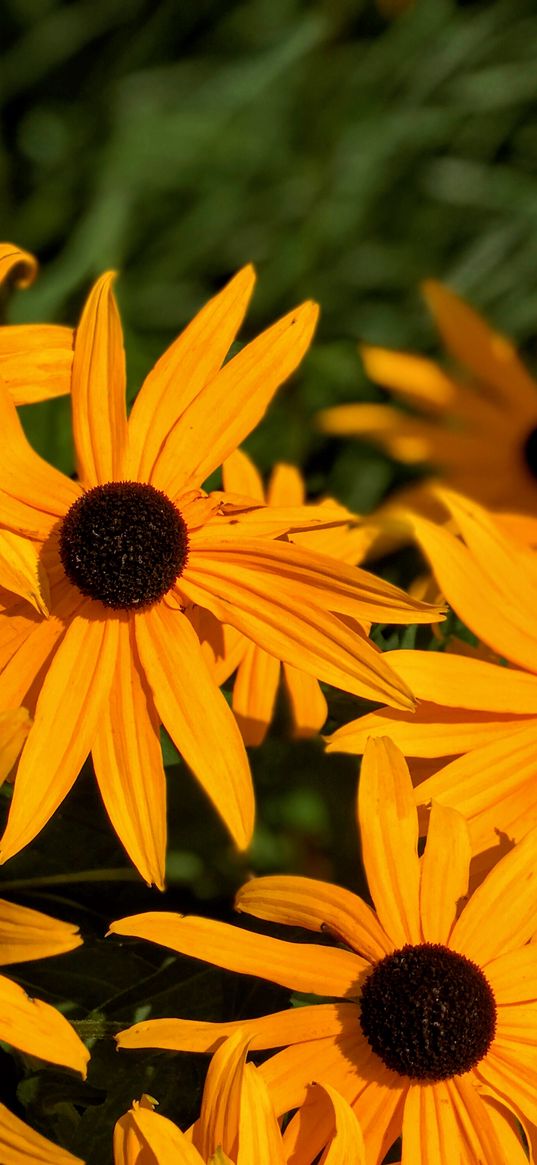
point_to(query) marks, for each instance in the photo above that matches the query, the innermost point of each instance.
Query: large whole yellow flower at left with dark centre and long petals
(132, 546)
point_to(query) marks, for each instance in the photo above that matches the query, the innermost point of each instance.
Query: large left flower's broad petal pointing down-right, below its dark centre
(196, 715)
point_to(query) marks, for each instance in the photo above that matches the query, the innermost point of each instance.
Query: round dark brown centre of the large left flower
(124, 543)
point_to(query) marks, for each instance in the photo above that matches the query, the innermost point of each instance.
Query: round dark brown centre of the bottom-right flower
(428, 1012)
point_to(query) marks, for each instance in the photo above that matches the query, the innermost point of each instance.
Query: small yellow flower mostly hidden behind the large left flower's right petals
(258, 673)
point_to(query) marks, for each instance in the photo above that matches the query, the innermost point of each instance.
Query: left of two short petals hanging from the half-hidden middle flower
(255, 694)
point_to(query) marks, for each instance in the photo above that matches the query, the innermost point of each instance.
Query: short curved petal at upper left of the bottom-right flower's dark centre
(317, 907)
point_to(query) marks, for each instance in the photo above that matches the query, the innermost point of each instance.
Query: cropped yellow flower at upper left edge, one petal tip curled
(36, 359)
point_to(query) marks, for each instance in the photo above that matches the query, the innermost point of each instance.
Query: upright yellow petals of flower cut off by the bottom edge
(237, 1125)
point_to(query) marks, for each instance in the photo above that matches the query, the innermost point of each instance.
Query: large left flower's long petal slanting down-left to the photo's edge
(62, 736)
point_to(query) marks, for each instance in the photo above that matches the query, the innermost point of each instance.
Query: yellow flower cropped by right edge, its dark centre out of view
(479, 711)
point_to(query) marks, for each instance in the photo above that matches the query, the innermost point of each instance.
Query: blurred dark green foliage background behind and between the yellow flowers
(350, 154)
